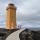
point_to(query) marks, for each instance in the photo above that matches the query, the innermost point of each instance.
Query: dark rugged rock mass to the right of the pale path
(29, 35)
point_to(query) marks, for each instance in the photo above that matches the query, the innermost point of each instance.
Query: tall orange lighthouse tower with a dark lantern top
(11, 16)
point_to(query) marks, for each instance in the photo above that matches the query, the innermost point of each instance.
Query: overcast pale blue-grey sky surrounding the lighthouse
(27, 13)
